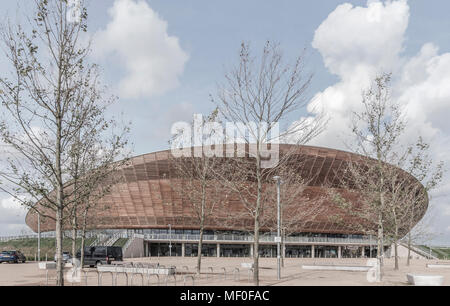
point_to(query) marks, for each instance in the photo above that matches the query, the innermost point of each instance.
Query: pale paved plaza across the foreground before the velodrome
(213, 273)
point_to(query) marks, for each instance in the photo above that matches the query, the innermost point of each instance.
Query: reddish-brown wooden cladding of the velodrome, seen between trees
(146, 198)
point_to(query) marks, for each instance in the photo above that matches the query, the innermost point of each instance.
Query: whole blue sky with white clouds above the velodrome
(347, 42)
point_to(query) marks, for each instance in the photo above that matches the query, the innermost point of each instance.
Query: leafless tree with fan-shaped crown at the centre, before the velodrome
(260, 94)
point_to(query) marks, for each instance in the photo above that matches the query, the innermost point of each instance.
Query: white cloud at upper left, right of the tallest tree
(138, 37)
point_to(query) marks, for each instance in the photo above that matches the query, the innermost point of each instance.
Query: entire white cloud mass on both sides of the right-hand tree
(356, 44)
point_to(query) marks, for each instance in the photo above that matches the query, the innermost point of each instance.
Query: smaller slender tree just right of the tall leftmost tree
(94, 170)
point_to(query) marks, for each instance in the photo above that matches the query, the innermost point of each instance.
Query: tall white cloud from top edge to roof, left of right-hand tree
(356, 44)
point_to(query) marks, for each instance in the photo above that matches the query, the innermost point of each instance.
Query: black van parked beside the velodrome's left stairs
(100, 255)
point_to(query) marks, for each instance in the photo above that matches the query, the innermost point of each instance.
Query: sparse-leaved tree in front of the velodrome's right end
(381, 182)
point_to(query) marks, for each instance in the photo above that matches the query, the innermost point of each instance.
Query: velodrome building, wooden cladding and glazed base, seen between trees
(157, 222)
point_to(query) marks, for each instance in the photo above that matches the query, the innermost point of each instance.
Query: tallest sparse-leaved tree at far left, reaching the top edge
(50, 94)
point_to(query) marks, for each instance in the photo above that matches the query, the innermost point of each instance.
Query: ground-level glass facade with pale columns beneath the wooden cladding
(158, 243)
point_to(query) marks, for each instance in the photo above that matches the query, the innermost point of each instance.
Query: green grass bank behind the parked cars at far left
(29, 246)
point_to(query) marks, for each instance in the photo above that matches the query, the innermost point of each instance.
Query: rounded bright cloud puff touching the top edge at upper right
(355, 38)
